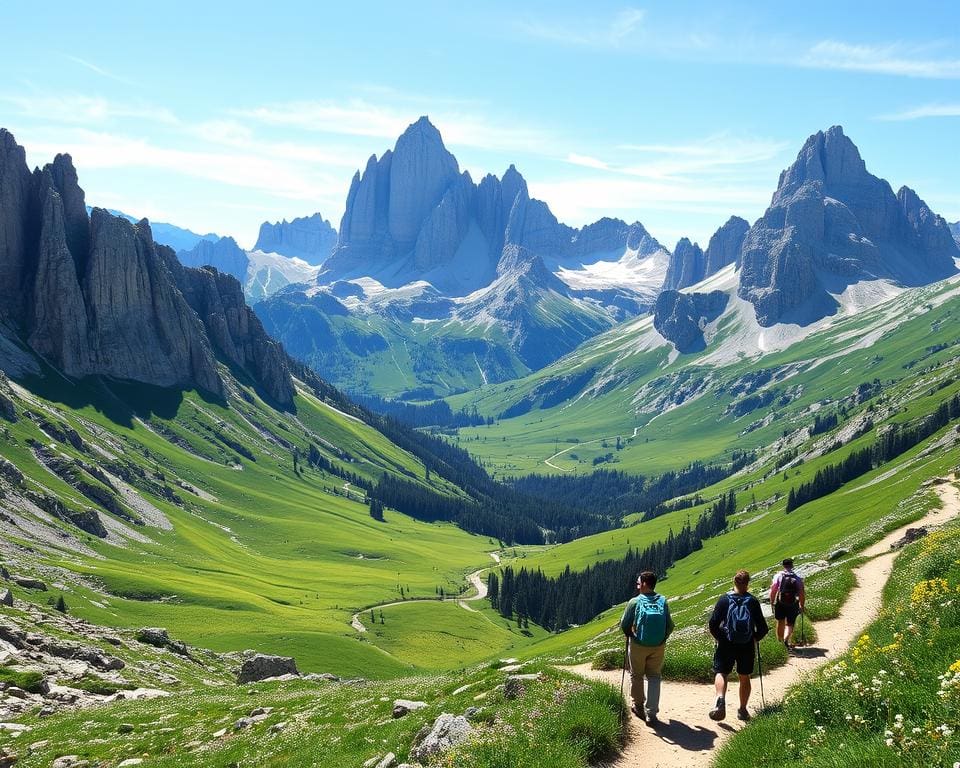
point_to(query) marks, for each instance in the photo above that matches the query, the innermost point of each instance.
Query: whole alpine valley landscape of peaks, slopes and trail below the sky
(211, 555)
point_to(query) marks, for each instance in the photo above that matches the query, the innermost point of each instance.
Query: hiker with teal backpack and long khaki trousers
(647, 623)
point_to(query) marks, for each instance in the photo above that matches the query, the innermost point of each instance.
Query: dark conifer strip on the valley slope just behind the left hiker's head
(575, 597)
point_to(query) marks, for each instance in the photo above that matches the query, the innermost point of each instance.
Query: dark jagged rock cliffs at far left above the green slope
(95, 295)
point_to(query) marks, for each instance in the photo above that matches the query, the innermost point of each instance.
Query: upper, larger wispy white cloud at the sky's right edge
(891, 59)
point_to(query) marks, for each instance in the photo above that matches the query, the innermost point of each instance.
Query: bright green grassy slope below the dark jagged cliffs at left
(277, 561)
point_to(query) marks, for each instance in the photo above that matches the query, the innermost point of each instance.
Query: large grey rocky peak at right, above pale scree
(832, 223)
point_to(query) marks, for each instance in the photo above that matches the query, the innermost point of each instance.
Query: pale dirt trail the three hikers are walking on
(687, 737)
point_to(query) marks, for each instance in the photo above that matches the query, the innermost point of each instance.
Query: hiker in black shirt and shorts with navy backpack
(737, 624)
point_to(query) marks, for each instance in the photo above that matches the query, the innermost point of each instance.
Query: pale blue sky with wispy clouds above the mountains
(219, 116)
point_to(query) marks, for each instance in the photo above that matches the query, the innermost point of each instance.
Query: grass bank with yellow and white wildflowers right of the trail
(894, 699)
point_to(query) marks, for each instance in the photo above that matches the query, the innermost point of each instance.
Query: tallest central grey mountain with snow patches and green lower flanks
(453, 264)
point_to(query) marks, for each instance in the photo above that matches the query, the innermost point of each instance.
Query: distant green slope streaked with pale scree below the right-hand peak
(829, 368)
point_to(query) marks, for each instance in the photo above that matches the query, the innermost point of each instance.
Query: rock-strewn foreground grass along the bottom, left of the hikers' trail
(558, 720)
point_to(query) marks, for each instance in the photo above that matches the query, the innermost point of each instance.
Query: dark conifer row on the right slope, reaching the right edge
(892, 442)
